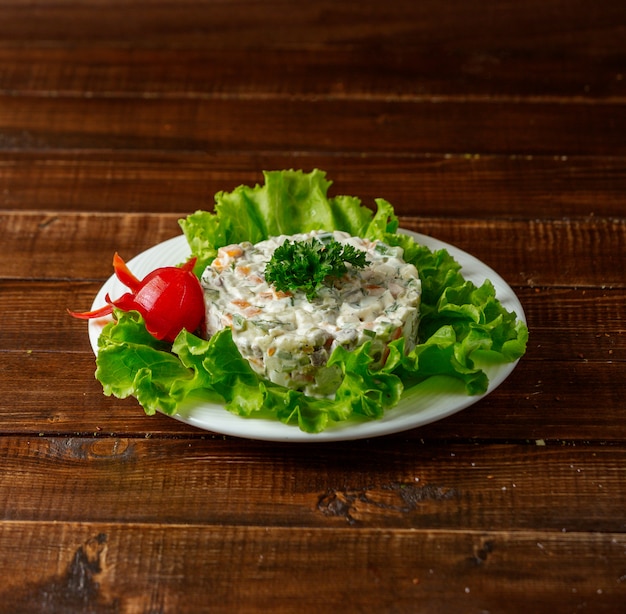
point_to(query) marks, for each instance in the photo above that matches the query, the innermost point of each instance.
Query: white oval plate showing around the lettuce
(420, 405)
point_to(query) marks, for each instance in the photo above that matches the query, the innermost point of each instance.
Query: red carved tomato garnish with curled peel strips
(170, 299)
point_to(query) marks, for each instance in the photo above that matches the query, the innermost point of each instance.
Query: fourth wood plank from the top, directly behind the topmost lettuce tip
(426, 185)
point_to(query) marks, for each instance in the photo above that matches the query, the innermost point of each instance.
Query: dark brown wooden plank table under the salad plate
(497, 127)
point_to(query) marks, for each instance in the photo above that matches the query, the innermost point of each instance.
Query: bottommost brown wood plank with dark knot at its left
(163, 568)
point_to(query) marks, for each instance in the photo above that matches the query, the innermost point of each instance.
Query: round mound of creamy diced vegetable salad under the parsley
(287, 338)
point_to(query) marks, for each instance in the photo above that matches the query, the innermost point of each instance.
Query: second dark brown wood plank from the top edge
(582, 63)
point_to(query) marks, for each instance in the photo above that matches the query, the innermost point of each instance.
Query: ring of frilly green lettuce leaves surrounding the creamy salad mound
(459, 321)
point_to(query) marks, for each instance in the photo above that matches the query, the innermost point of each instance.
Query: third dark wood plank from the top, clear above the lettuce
(312, 125)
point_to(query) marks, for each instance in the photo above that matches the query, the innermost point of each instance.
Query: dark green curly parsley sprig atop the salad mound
(308, 265)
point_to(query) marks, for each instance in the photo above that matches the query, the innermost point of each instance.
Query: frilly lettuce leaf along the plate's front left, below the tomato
(132, 362)
